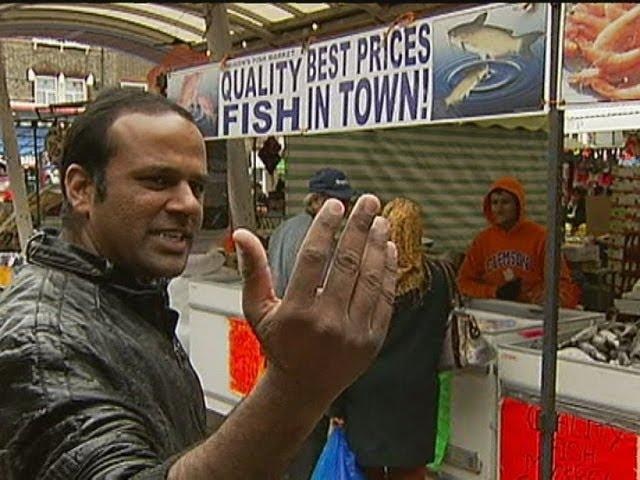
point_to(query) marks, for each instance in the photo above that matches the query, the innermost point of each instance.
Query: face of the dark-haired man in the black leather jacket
(154, 189)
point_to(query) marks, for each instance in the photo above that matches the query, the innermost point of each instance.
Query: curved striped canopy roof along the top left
(149, 30)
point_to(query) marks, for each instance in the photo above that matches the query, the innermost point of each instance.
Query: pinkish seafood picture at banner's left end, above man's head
(196, 90)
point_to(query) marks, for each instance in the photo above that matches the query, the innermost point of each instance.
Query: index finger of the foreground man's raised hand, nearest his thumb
(315, 253)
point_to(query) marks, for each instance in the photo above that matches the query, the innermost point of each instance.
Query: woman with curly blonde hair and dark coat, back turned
(390, 412)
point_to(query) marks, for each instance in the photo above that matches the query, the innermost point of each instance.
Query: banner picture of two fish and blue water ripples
(495, 60)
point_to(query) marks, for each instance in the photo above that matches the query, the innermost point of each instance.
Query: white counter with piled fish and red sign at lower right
(598, 424)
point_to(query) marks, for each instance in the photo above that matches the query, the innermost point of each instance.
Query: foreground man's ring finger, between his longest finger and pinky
(372, 271)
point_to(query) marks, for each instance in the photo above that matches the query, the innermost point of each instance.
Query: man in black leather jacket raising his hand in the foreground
(95, 384)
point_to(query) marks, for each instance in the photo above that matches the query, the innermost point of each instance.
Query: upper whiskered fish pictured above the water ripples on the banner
(490, 41)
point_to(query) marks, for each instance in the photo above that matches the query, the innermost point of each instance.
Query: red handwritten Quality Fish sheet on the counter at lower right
(584, 449)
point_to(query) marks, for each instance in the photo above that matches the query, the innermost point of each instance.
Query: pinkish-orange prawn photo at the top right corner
(602, 45)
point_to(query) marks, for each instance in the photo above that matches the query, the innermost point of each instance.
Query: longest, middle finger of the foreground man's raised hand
(345, 267)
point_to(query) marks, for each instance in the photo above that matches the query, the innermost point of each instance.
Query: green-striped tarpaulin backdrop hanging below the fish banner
(447, 169)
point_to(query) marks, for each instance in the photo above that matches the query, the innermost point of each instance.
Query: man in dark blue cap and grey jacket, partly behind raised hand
(283, 250)
